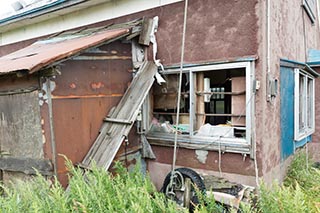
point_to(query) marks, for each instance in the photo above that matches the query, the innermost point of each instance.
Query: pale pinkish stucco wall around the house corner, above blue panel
(291, 34)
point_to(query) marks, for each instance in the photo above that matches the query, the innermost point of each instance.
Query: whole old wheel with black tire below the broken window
(177, 190)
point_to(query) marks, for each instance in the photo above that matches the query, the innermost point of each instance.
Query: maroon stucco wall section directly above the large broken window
(216, 30)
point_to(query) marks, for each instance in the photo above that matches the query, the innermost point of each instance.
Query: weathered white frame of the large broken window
(236, 145)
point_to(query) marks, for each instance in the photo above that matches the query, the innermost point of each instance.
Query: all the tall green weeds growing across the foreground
(99, 191)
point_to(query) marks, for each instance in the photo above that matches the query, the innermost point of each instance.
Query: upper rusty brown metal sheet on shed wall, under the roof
(95, 78)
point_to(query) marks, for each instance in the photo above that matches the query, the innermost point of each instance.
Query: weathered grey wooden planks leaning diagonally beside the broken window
(112, 135)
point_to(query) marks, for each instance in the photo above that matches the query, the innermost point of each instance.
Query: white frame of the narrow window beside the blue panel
(305, 131)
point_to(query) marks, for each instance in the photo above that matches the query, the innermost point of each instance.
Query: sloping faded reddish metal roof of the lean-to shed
(46, 52)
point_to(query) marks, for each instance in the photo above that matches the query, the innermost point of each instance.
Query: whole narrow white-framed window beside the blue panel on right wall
(304, 104)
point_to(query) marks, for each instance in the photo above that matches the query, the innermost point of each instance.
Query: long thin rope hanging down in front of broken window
(179, 90)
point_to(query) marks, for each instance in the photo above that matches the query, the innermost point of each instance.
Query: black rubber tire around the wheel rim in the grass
(195, 179)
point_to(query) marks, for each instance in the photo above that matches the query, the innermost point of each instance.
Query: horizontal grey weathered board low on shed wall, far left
(26, 165)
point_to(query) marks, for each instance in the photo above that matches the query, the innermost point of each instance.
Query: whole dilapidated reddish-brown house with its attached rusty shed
(98, 81)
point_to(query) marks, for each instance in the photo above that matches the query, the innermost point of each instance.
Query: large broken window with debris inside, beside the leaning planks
(215, 106)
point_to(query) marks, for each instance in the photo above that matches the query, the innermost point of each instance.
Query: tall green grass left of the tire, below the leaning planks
(97, 192)
